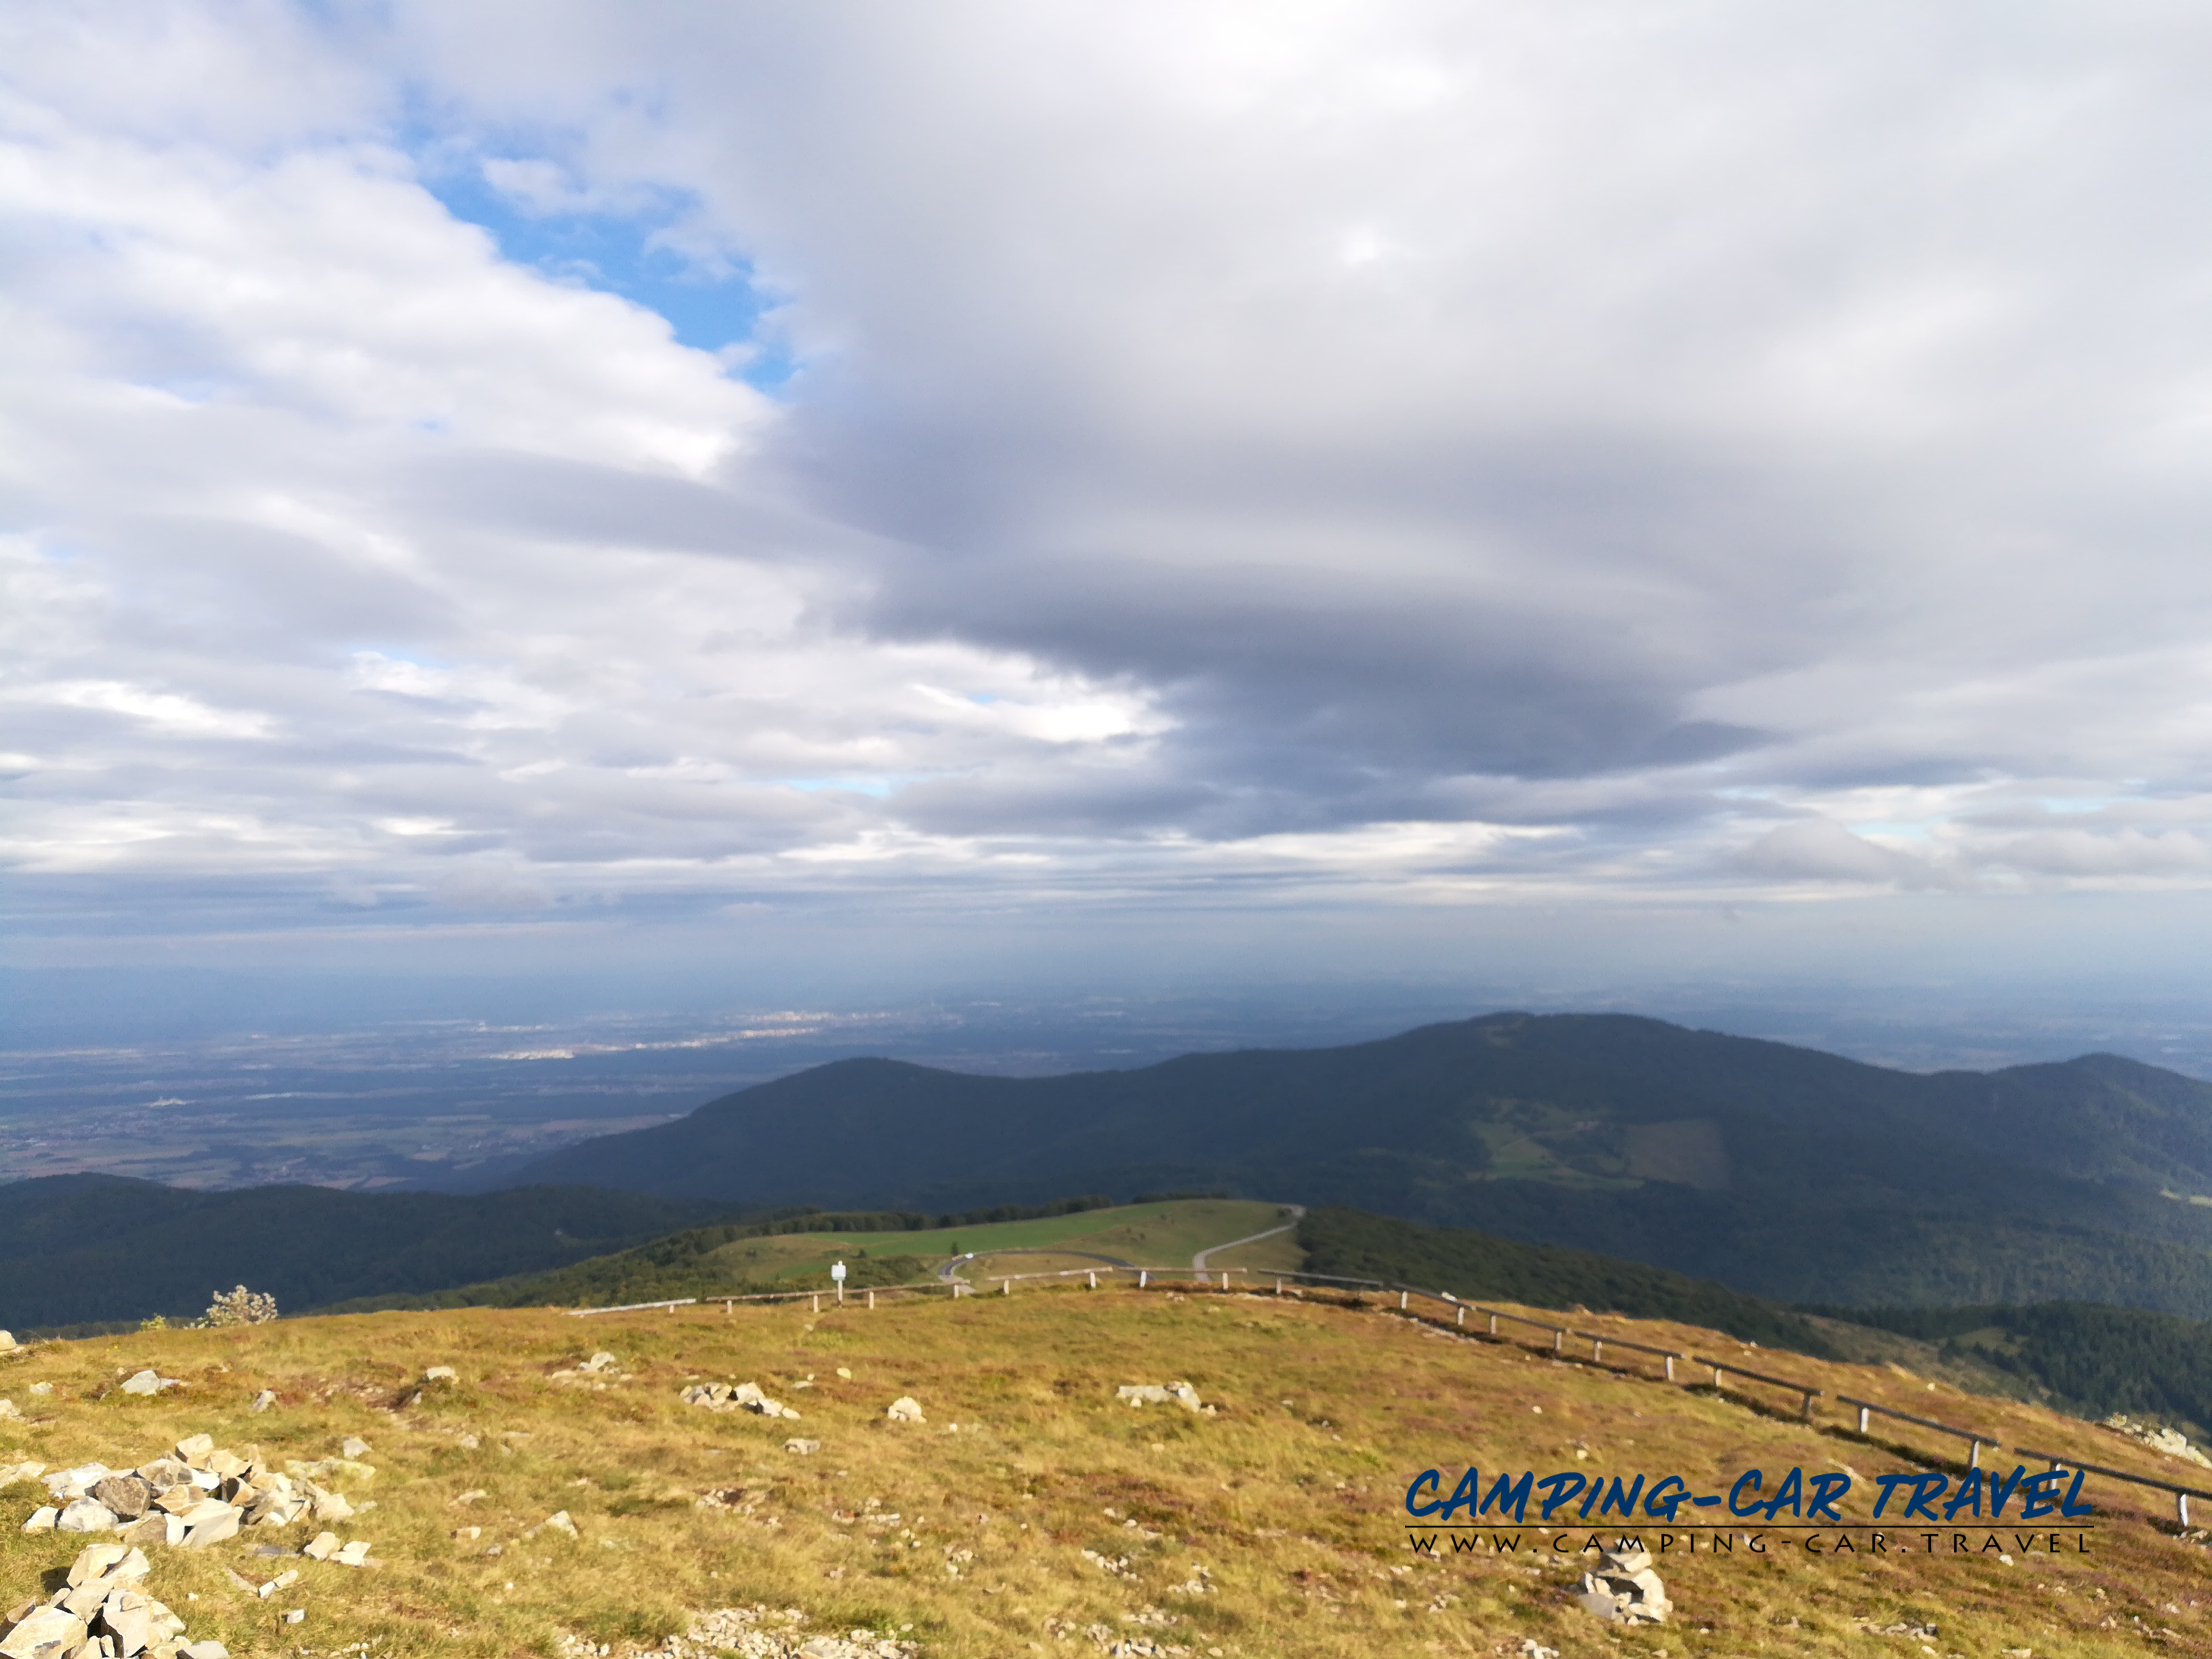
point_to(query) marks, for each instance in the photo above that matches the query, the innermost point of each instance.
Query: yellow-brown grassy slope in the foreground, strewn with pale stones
(1288, 1501)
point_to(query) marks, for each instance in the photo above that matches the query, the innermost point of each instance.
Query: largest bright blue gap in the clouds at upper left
(620, 249)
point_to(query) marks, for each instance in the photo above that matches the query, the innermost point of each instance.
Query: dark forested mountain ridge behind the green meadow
(1773, 1169)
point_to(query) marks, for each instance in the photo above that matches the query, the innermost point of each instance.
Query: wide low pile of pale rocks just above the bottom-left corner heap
(196, 1496)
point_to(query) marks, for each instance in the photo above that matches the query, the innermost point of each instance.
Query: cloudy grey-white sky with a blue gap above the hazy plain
(1569, 499)
